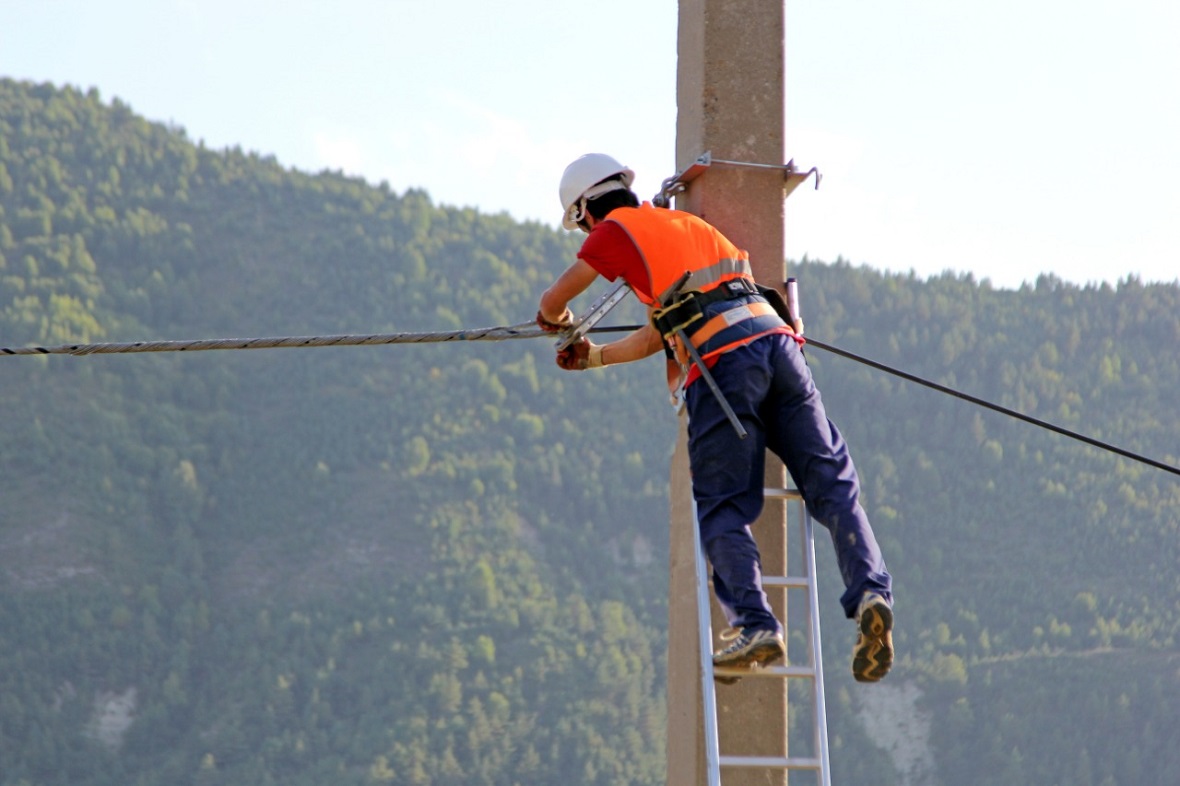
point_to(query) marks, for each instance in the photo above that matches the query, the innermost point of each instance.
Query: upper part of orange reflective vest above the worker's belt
(672, 243)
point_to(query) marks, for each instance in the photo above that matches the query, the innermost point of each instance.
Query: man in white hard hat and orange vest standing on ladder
(700, 291)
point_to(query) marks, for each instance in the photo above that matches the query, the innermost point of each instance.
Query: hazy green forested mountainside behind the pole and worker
(447, 565)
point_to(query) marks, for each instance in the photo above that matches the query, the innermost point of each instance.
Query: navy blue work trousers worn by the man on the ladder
(770, 388)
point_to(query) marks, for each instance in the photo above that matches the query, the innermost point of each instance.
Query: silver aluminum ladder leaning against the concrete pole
(814, 671)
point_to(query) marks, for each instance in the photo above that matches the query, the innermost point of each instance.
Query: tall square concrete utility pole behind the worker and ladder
(730, 93)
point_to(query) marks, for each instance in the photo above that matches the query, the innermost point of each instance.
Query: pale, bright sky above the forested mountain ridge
(1006, 139)
